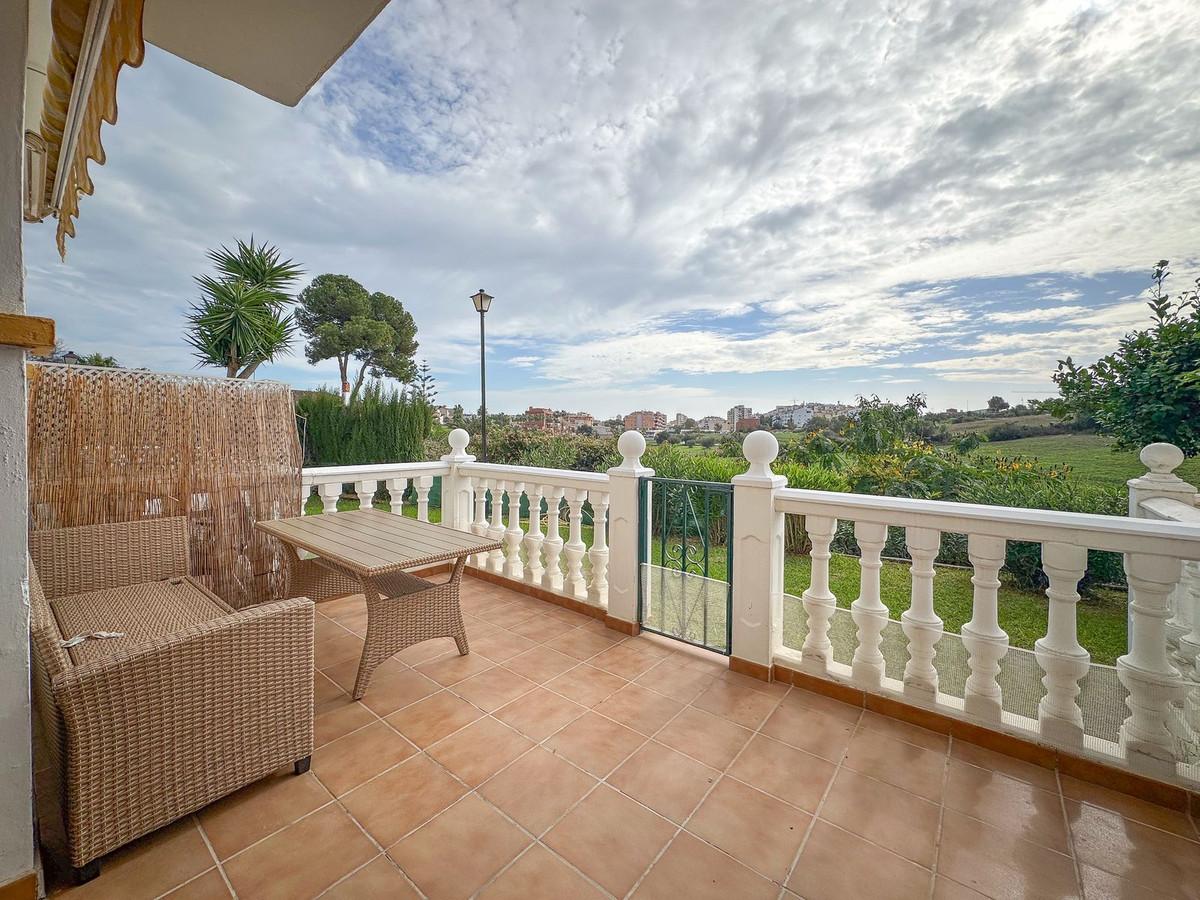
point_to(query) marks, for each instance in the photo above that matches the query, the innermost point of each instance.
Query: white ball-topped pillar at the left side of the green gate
(625, 531)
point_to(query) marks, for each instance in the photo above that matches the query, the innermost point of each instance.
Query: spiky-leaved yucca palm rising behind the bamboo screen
(242, 320)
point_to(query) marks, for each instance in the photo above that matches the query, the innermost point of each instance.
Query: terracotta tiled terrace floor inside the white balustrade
(561, 761)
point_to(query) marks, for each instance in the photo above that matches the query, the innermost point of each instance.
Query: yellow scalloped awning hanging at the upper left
(92, 40)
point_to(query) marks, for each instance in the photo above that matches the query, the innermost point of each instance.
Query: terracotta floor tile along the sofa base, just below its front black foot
(255, 812)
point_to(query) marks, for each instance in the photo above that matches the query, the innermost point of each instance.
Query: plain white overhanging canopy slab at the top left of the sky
(278, 49)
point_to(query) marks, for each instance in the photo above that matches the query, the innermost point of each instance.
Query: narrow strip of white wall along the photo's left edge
(16, 764)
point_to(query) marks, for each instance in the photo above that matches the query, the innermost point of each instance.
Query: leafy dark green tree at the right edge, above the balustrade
(1149, 389)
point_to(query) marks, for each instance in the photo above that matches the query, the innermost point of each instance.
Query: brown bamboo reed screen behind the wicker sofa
(117, 446)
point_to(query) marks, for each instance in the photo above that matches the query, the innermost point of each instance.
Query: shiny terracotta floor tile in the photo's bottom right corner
(1133, 851)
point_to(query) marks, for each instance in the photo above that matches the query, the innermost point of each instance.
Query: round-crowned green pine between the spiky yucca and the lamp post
(344, 322)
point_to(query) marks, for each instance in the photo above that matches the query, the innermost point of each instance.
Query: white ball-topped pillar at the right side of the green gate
(758, 538)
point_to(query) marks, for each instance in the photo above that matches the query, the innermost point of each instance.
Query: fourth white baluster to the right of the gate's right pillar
(983, 638)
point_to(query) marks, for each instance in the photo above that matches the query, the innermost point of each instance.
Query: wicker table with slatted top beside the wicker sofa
(373, 553)
